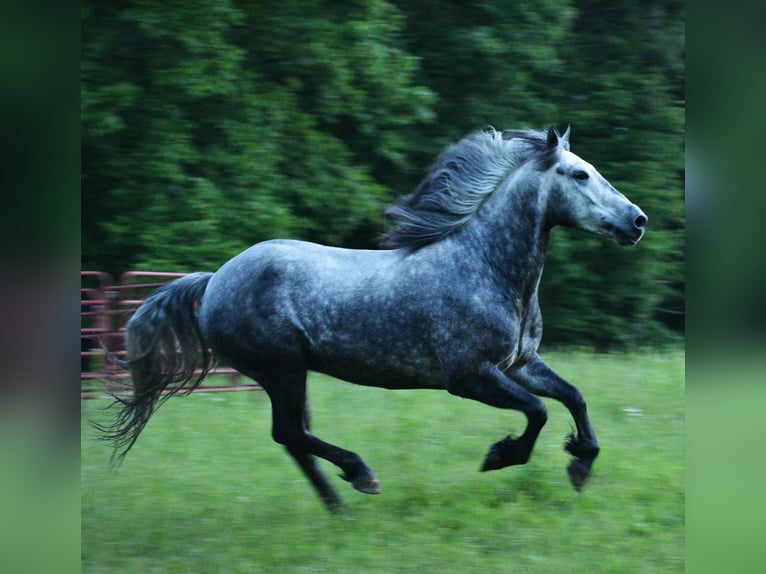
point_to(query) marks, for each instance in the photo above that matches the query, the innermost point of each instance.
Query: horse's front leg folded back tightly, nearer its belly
(492, 387)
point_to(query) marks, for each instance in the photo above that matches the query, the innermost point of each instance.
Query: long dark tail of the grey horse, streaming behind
(166, 354)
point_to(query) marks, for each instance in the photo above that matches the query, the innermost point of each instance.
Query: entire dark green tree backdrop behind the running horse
(209, 126)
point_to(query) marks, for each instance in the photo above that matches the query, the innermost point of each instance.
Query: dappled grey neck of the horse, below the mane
(513, 233)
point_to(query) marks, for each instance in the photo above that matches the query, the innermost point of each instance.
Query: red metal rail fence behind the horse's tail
(105, 307)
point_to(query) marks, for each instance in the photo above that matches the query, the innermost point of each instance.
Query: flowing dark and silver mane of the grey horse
(461, 178)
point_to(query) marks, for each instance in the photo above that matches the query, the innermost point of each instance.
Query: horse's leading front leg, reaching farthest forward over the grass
(541, 380)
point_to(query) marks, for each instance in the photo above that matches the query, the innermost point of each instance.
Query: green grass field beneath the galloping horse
(206, 490)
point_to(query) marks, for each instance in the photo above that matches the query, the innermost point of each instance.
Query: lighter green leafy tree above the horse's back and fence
(211, 126)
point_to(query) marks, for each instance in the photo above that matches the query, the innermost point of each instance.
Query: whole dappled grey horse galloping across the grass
(449, 302)
